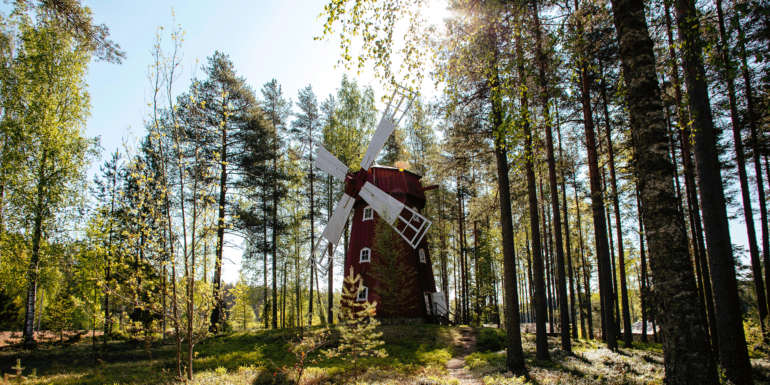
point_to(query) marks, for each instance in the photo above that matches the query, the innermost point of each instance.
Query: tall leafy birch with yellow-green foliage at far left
(49, 105)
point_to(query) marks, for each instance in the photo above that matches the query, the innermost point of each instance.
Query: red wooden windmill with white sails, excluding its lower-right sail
(396, 196)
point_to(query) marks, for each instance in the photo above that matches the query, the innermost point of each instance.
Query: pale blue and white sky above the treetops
(264, 39)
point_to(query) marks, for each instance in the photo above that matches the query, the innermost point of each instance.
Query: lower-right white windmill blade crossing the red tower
(408, 222)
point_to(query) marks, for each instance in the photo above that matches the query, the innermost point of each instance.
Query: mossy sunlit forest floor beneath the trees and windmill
(417, 354)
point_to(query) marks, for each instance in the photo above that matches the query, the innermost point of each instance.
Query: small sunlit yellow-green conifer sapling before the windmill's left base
(357, 325)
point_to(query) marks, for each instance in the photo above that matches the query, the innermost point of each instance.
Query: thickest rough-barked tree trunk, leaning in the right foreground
(686, 350)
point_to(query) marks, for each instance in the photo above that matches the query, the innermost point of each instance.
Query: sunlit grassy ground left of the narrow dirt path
(235, 358)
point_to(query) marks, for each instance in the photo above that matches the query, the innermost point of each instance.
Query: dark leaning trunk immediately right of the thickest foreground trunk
(733, 353)
